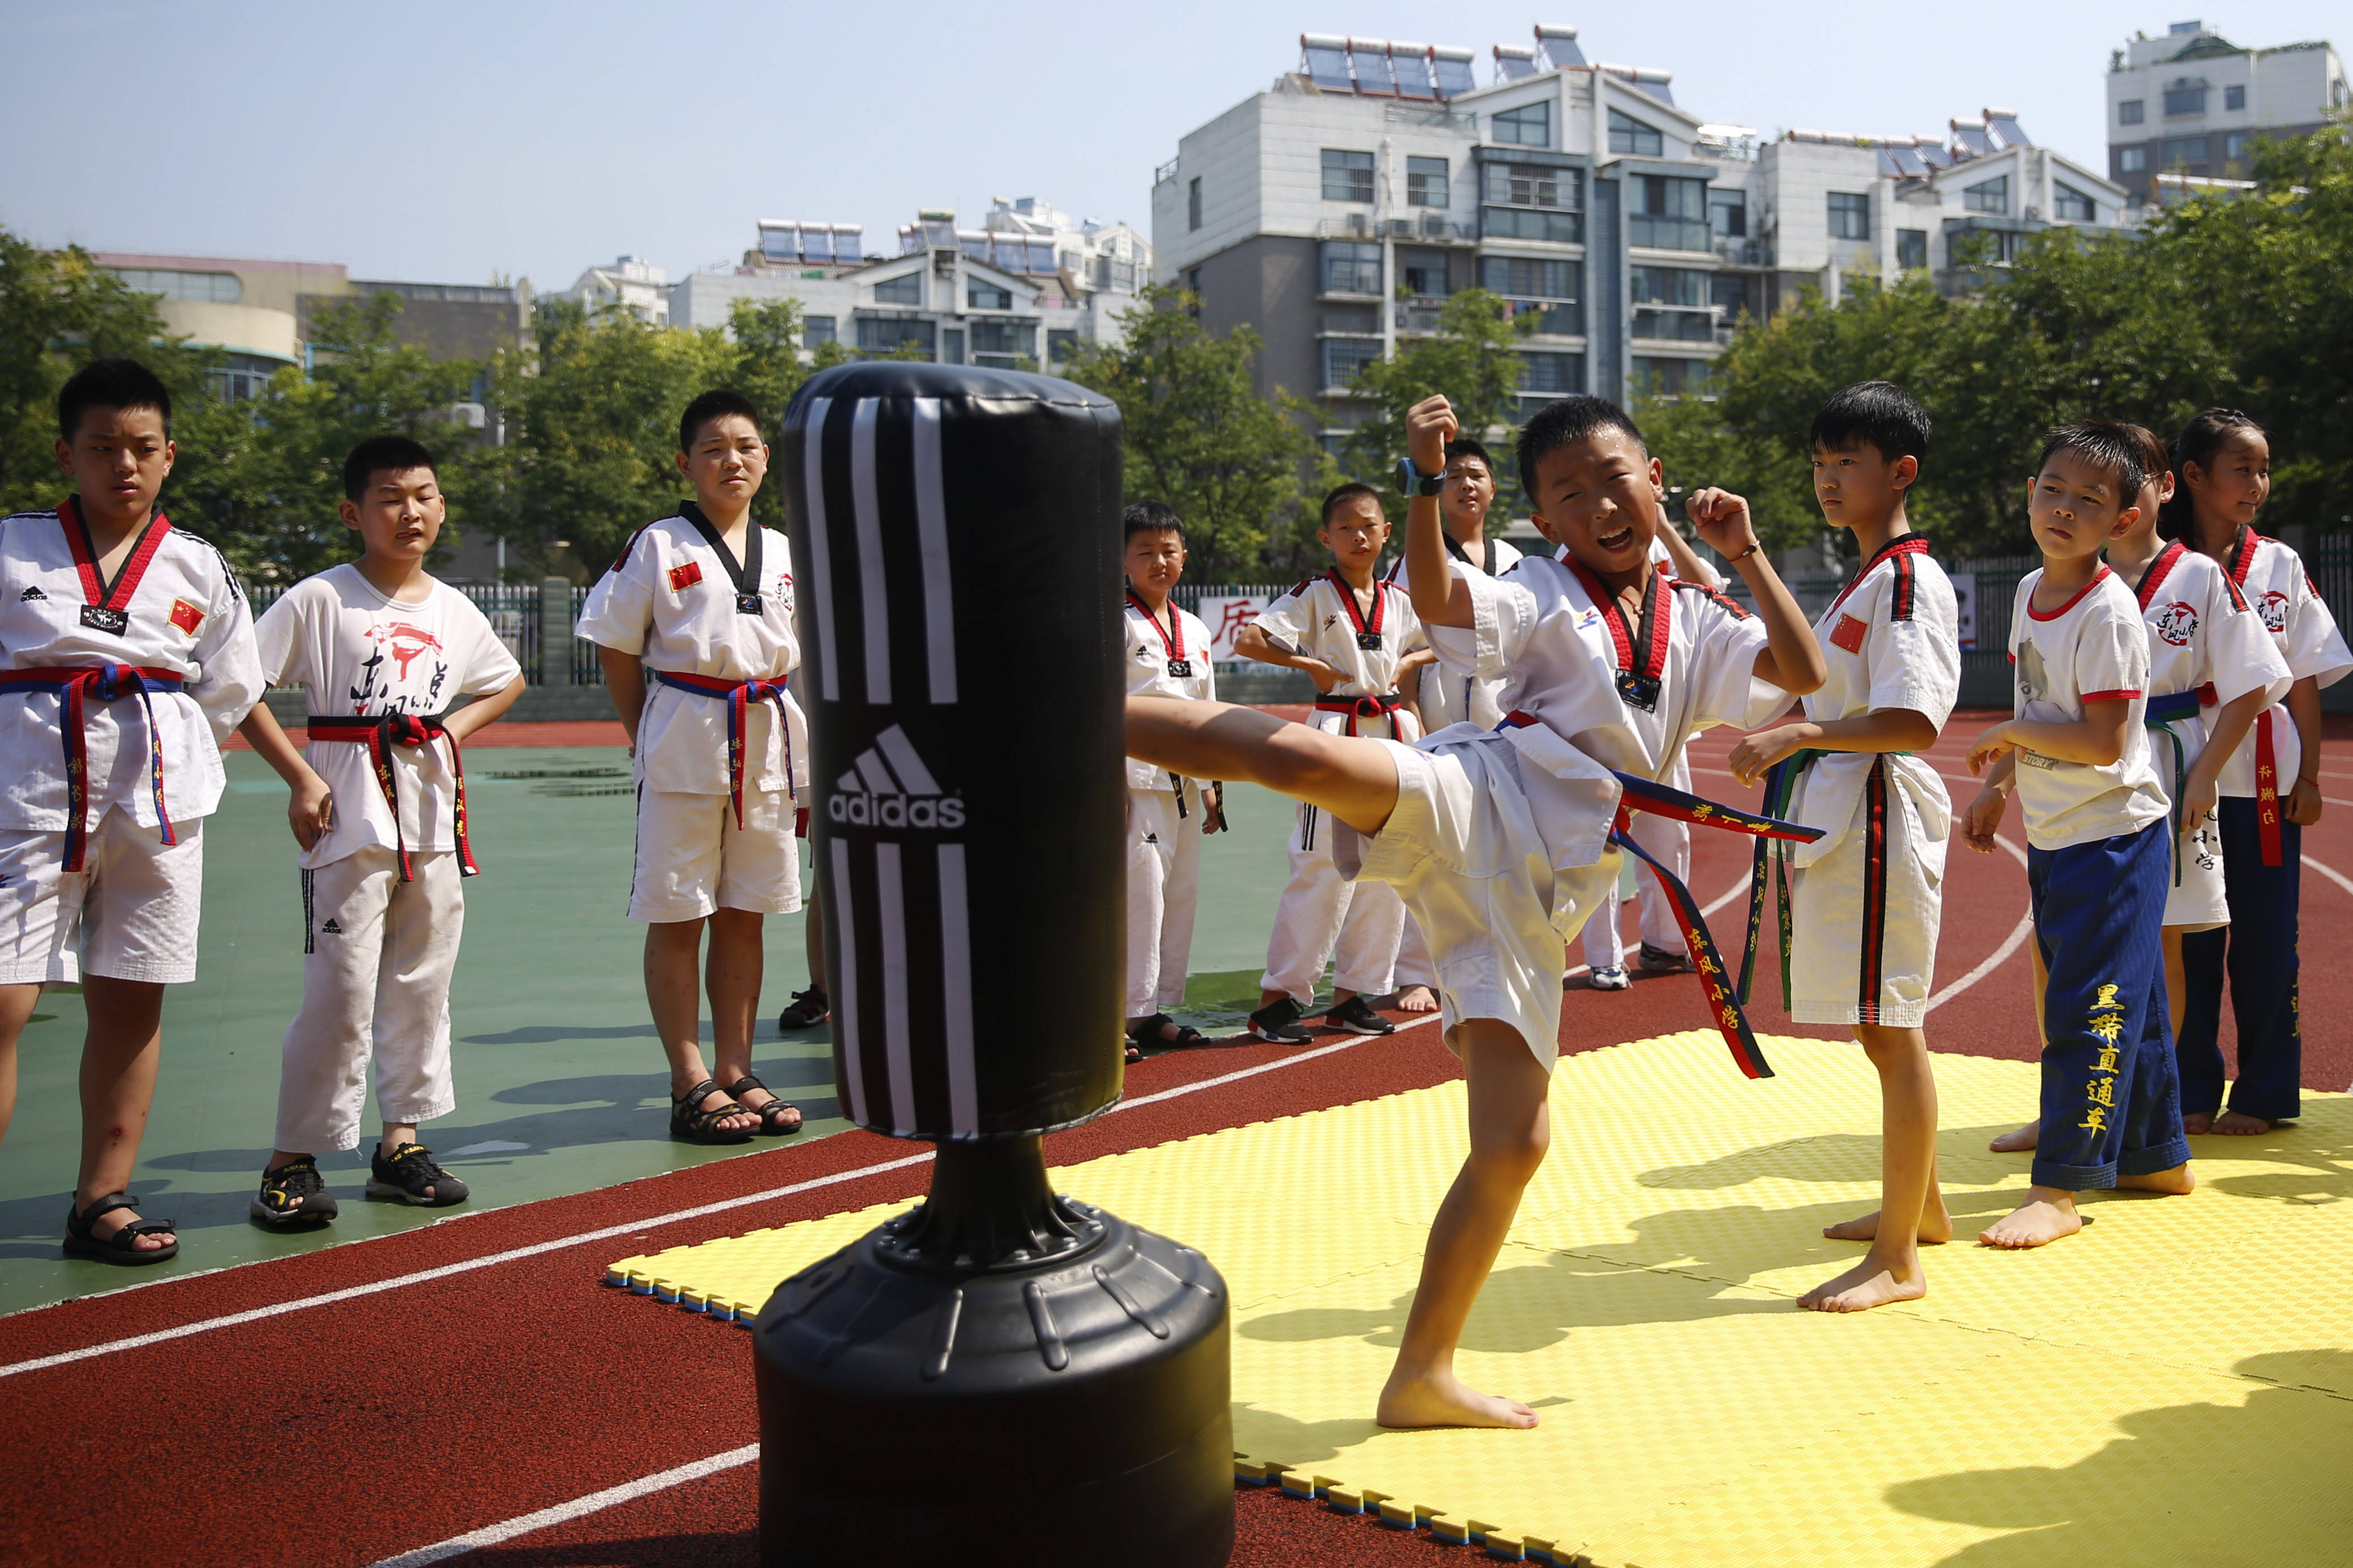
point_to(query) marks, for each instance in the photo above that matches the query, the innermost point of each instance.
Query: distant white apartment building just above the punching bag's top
(1027, 286)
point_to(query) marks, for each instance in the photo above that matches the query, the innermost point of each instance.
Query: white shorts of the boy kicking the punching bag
(1479, 880)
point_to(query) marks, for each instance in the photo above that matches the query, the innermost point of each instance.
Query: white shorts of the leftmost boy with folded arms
(128, 916)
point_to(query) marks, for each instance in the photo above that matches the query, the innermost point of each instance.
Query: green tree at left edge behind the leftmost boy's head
(58, 314)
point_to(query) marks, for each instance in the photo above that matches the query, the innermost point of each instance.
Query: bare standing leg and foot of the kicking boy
(1509, 1134)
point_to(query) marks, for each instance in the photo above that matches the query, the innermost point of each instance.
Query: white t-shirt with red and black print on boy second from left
(361, 655)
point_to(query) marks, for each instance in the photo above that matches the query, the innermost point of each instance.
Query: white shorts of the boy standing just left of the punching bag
(695, 862)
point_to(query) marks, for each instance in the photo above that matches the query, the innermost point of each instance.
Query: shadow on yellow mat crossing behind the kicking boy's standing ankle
(1524, 1308)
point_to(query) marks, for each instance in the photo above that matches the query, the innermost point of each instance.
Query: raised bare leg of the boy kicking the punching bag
(1349, 777)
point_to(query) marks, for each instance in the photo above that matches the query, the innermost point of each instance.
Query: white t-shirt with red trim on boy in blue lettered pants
(2091, 650)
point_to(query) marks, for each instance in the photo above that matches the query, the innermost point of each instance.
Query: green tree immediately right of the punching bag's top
(1201, 438)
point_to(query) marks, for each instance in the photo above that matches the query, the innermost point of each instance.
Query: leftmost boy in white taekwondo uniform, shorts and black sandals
(126, 657)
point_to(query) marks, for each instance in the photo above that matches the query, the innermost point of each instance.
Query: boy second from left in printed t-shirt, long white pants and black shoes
(380, 815)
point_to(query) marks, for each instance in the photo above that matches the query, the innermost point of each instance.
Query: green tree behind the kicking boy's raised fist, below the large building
(1474, 361)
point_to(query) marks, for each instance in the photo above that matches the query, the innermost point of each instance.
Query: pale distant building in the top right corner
(2192, 102)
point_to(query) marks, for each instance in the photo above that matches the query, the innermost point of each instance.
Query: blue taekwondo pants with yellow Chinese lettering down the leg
(2112, 1099)
